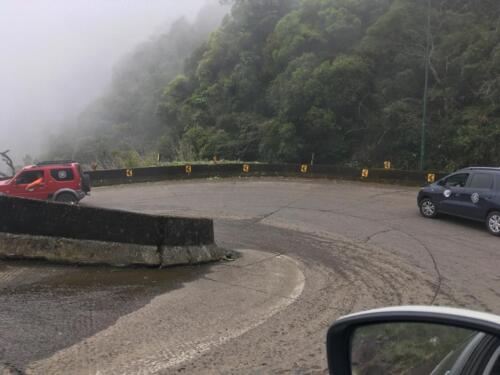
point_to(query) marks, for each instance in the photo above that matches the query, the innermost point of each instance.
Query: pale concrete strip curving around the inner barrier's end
(182, 325)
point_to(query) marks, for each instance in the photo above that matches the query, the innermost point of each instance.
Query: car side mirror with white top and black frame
(415, 340)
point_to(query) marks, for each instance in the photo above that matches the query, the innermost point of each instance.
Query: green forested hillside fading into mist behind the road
(343, 79)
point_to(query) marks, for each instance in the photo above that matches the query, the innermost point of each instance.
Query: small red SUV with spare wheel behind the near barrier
(60, 181)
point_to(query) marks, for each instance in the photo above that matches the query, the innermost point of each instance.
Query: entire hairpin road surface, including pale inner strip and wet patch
(357, 246)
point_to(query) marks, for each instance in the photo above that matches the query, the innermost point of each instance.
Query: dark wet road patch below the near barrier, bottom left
(46, 308)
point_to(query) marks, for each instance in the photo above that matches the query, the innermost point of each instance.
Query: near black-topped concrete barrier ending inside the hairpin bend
(31, 229)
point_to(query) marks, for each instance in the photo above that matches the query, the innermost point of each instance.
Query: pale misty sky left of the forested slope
(56, 56)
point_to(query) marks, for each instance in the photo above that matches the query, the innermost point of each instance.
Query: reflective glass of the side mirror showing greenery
(420, 349)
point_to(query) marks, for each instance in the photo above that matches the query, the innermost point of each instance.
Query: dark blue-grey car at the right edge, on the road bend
(471, 193)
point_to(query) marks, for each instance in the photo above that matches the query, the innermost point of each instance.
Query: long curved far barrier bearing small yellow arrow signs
(124, 176)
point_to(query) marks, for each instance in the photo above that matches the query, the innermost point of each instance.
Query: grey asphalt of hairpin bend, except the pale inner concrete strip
(358, 246)
